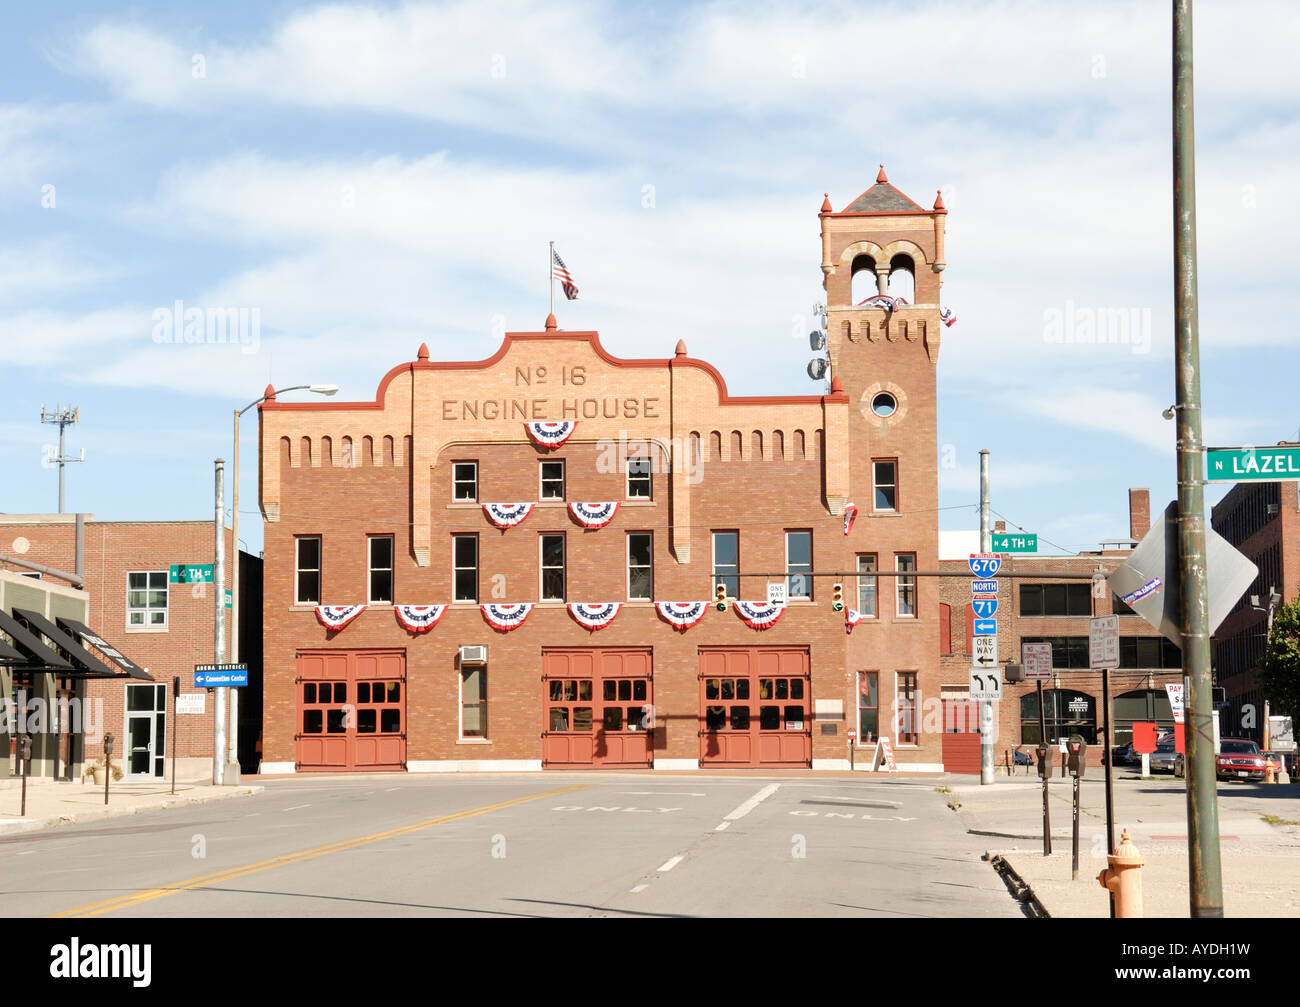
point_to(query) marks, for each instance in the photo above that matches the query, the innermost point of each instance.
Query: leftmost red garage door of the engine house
(352, 711)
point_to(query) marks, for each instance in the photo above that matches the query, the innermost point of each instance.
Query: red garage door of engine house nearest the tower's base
(755, 707)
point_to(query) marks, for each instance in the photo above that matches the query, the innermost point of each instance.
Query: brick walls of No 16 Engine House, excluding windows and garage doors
(760, 466)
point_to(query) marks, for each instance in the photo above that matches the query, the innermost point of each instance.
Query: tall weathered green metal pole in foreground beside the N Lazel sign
(1203, 830)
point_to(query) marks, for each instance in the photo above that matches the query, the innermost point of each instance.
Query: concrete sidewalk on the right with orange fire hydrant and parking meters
(1259, 828)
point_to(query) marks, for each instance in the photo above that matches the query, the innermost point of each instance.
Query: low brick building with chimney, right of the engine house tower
(1058, 611)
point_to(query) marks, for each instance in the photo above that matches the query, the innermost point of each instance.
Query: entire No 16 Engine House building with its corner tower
(383, 503)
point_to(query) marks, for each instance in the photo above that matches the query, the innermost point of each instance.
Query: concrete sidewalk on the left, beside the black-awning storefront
(53, 804)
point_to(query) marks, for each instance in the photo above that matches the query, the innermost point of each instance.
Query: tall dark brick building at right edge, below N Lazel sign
(1262, 520)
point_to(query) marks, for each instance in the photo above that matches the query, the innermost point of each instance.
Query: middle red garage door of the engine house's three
(597, 710)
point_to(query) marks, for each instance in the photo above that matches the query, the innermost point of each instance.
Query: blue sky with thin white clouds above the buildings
(371, 177)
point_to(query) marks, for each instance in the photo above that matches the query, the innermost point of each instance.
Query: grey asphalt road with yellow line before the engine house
(538, 845)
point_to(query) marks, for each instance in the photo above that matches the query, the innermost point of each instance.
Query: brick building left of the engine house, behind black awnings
(164, 627)
